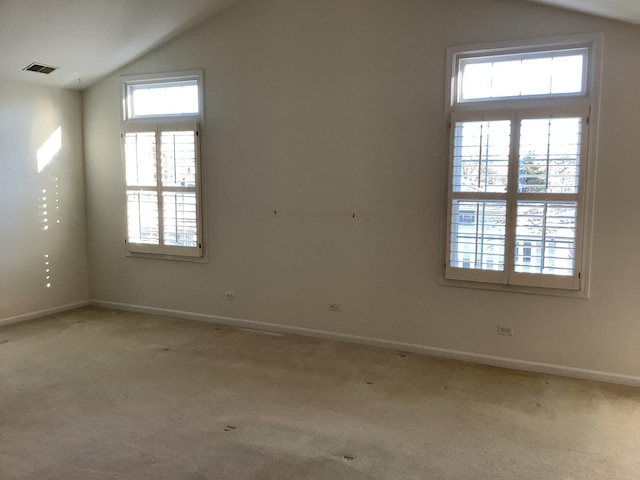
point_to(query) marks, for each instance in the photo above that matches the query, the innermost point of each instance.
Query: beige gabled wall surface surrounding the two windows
(322, 109)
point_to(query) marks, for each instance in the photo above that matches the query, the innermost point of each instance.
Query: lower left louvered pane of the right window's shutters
(478, 234)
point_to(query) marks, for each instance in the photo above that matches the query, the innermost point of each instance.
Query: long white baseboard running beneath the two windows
(502, 362)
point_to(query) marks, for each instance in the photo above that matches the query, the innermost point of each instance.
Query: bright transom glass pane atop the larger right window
(514, 75)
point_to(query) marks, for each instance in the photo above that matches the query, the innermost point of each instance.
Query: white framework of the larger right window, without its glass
(583, 104)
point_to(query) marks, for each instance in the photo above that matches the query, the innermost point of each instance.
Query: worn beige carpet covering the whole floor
(99, 394)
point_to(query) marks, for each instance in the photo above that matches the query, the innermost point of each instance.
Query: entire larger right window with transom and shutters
(518, 178)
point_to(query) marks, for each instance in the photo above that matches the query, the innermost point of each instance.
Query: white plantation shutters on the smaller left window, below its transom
(162, 181)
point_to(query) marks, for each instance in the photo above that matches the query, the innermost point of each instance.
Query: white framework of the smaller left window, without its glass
(158, 124)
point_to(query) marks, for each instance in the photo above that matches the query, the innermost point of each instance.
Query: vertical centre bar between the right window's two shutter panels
(512, 197)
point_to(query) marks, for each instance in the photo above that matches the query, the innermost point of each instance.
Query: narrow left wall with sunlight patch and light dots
(43, 255)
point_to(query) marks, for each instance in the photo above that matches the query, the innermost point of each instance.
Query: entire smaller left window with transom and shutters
(161, 151)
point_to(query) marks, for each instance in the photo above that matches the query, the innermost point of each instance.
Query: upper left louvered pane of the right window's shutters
(481, 156)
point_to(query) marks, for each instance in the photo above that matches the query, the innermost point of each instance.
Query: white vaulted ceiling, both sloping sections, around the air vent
(88, 39)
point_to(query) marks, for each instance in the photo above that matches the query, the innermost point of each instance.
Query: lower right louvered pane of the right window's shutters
(546, 237)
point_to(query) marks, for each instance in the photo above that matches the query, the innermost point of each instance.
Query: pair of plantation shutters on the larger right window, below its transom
(516, 199)
